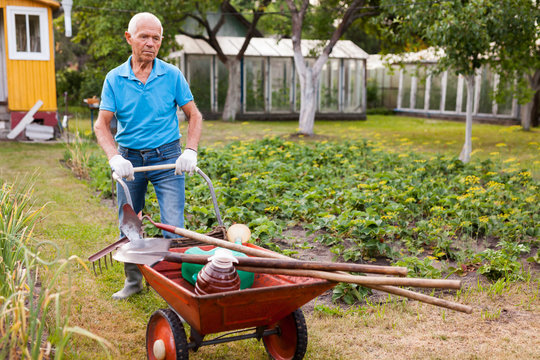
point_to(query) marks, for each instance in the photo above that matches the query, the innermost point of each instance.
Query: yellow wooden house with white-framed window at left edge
(27, 75)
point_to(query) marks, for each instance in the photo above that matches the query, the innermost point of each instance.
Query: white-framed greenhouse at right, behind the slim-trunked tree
(413, 87)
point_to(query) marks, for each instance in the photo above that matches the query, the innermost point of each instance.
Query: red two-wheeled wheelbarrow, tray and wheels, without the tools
(269, 310)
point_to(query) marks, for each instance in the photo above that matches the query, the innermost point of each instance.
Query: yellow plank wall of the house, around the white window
(30, 80)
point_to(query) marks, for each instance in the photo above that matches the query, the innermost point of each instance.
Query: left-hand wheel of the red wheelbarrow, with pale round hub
(165, 337)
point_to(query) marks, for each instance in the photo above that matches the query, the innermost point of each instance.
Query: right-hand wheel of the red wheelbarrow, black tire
(291, 341)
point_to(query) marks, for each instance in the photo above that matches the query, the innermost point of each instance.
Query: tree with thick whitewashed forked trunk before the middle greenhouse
(324, 15)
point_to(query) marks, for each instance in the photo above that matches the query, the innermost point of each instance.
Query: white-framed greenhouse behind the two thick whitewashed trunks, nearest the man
(269, 86)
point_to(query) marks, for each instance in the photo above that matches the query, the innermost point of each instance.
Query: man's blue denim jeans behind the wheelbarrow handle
(169, 188)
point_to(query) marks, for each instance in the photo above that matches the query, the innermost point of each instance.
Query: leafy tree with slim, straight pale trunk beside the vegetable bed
(459, 27)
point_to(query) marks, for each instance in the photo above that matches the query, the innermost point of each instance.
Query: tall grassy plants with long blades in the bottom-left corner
(30, 295)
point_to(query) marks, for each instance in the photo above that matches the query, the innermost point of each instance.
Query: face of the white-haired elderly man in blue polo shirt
(146, 40)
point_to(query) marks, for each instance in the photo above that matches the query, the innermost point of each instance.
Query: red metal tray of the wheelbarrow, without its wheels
(270, 299)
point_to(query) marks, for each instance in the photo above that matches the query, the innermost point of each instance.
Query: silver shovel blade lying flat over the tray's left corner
(152, 251)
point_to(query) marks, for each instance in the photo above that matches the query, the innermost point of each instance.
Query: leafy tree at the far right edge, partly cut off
(516, 30)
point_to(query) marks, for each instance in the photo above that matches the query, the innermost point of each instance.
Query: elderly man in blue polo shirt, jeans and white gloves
(143, 93)
